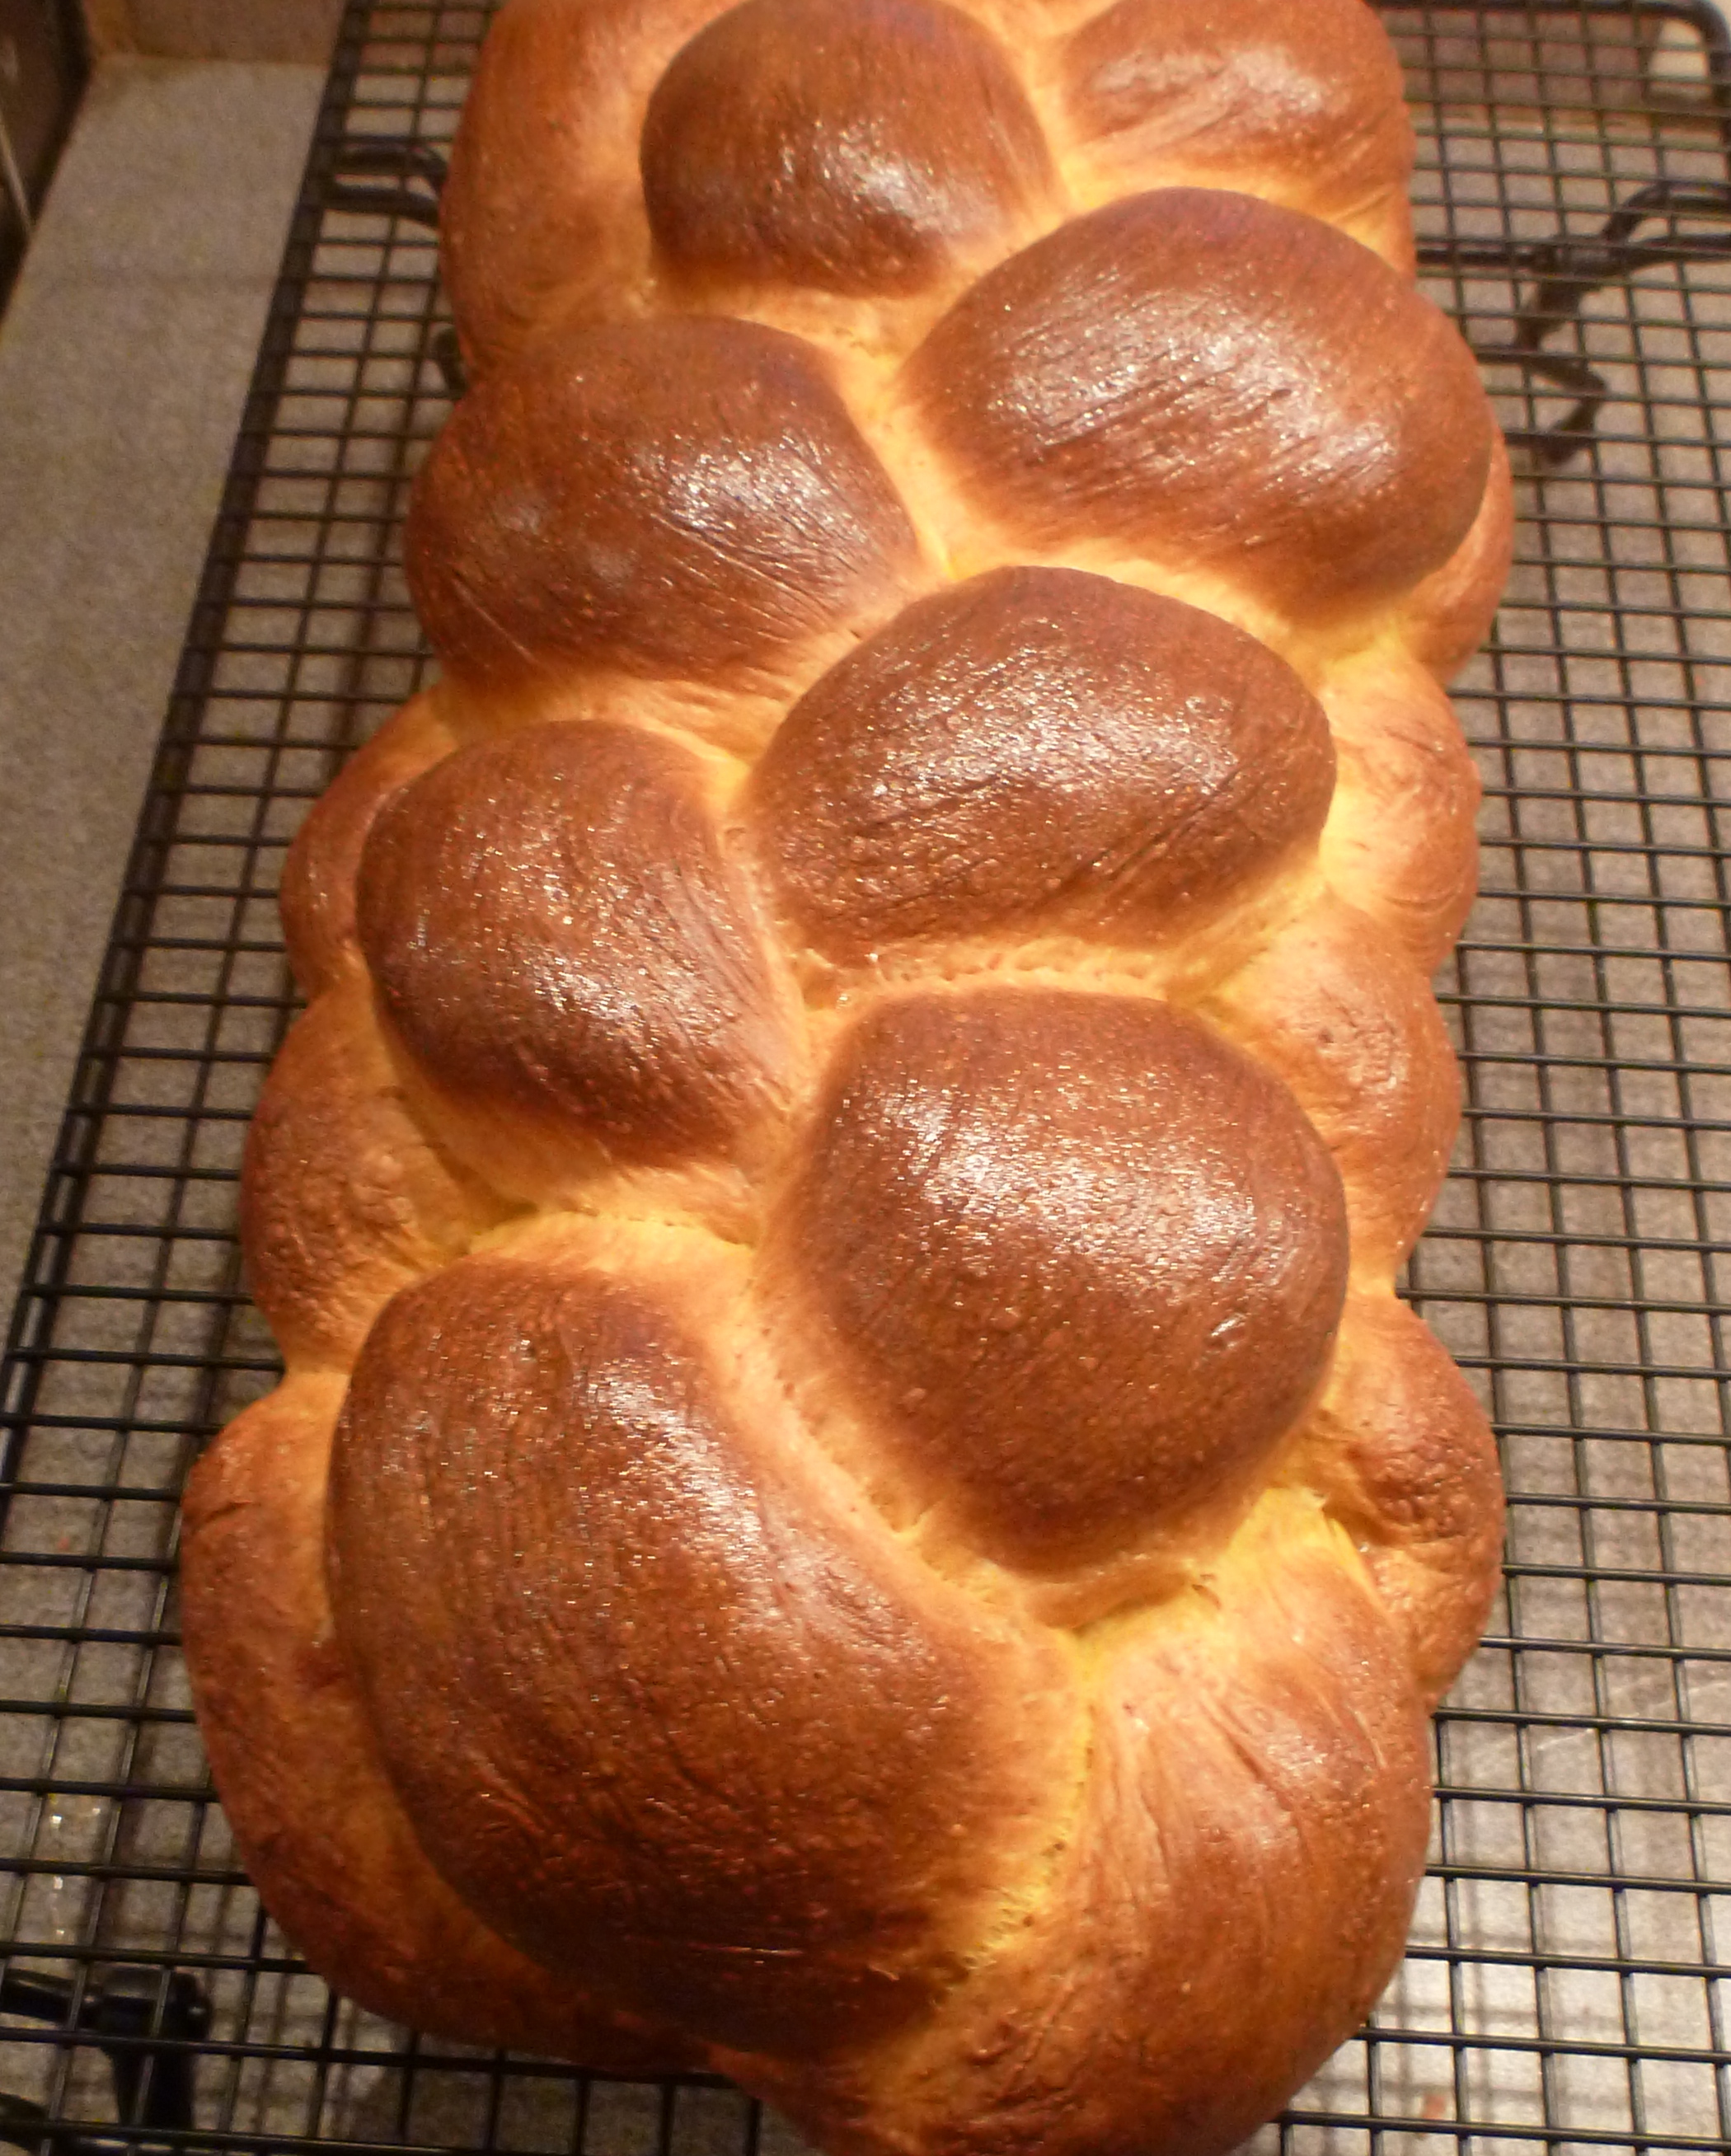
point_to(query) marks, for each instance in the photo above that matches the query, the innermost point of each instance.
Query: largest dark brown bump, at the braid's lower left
(706, 1728)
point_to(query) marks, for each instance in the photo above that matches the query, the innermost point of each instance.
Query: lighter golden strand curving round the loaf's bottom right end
(1230, 1901)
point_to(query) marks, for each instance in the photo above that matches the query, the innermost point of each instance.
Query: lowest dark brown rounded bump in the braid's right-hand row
(1075, 1256)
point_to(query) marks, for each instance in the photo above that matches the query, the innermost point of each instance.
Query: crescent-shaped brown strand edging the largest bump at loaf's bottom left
(292, 1745)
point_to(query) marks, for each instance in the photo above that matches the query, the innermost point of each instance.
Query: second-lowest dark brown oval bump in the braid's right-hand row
(1038, 749)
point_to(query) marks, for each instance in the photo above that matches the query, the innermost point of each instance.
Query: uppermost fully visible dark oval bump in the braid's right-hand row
(1221, 383)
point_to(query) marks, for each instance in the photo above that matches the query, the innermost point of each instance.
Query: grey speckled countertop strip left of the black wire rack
(124, 368)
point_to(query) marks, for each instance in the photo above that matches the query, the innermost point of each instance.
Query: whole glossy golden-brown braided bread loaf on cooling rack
(853, 1502)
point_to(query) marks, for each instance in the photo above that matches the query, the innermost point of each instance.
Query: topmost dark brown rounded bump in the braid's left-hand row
(853, 148)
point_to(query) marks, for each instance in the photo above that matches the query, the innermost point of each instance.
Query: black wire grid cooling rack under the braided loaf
(1568, 1980)
